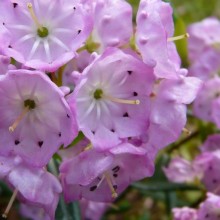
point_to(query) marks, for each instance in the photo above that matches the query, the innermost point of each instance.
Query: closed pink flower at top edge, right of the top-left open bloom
(112, 23)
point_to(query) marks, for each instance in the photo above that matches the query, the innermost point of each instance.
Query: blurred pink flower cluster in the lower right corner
(205, 167)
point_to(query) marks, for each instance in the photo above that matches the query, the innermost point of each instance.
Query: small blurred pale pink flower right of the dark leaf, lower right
(181, 170)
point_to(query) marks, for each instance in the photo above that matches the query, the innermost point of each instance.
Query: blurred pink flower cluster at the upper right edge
(204, 54)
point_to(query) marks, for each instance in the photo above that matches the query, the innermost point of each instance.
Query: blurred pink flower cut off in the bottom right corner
(210, 208)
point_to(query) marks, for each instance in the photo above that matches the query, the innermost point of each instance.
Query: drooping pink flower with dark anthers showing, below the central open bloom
(104, 174)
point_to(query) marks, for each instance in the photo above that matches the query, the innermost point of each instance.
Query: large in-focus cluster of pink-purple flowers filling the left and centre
(78, 66)
